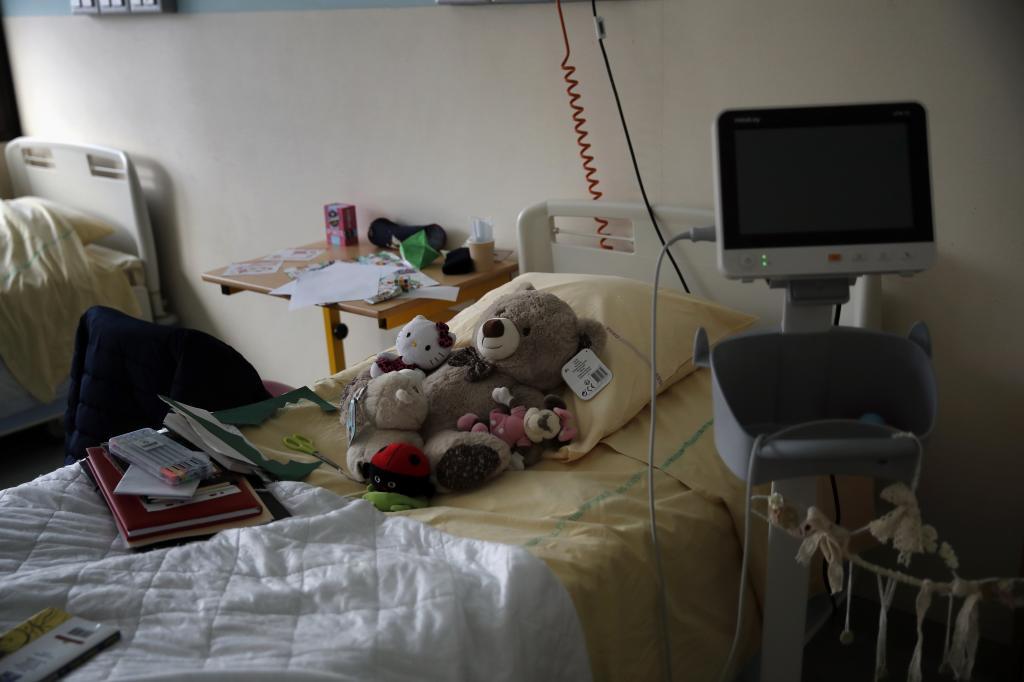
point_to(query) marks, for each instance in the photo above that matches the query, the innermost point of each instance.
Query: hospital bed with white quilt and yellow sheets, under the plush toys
(583, 513)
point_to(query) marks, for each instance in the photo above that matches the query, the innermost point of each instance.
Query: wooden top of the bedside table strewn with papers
(471, 286)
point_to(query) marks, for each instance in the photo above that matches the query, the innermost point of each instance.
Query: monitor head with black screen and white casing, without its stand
(823, 192)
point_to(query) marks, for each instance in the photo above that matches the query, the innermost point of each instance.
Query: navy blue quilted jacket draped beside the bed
(121, 365)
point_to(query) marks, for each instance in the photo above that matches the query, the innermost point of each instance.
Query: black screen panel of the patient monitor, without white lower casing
(794, 181)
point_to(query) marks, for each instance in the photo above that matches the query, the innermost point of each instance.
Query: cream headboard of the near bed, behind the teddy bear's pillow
(546, 246)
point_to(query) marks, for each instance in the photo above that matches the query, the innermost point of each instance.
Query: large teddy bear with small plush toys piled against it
(520, 348)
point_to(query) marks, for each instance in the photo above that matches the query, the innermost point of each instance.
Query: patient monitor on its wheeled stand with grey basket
(809, 199)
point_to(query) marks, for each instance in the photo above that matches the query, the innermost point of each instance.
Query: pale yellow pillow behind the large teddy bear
(624, 308)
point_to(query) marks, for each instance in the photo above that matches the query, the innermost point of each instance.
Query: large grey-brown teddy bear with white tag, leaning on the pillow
(521, 345)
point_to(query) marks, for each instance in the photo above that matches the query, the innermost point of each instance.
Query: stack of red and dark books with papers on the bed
(148, 513)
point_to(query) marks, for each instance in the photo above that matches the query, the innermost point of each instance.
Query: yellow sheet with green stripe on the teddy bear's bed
(588, 522)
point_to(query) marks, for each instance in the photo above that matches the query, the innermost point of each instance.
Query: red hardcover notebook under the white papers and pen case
(136, 523)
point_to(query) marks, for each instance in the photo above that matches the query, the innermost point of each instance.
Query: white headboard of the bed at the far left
(98, 181)
